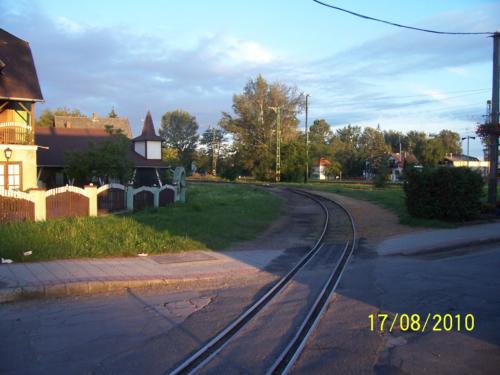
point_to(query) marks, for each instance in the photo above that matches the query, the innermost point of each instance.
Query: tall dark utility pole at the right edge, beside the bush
(493, 152)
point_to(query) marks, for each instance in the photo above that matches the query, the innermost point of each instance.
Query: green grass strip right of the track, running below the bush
(391, 197)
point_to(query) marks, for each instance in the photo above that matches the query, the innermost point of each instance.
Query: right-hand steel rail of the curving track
(293, 350)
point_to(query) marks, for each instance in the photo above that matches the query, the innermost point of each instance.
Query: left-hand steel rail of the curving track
(210, 349)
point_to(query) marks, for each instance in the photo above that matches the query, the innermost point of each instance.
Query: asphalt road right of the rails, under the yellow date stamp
(461, 282)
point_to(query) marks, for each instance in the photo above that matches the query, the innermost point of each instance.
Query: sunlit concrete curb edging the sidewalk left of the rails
(80, 288)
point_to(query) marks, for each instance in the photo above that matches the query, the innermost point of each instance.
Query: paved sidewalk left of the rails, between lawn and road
(85, 276)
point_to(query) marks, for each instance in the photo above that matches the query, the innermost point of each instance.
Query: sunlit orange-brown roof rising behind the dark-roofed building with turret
(94, 122)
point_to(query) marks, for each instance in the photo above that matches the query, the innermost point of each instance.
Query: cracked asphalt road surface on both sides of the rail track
(148, 332)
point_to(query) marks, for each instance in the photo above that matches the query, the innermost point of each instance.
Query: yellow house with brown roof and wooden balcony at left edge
(19, 92)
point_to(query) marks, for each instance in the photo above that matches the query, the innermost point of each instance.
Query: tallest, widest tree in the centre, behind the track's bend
(253, 126)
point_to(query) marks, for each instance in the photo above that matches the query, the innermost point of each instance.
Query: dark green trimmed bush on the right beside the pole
(452, 194)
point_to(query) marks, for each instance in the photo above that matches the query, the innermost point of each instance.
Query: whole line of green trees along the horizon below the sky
(244, 142)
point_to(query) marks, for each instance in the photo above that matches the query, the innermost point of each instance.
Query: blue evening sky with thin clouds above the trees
(194, 55)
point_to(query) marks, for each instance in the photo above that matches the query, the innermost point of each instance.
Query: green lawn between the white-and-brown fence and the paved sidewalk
(213, 217)
